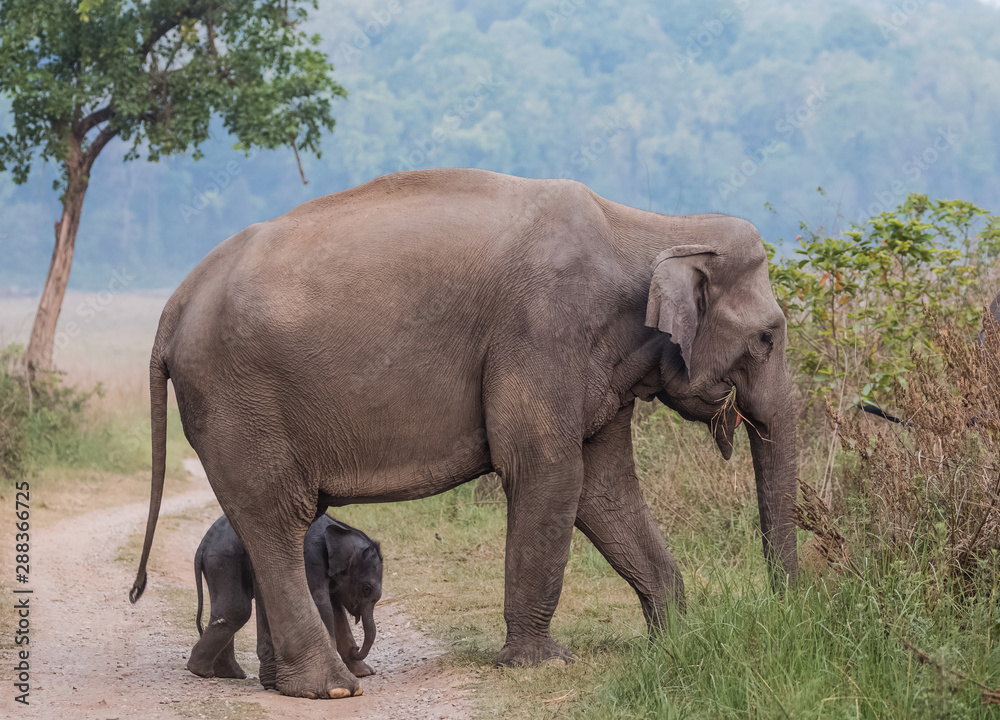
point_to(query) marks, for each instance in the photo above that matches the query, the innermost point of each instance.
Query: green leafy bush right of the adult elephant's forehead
(857, 305)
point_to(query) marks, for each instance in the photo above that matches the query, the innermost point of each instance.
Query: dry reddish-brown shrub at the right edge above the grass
(930, 490)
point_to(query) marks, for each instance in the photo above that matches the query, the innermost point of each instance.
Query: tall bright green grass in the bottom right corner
(742, 652)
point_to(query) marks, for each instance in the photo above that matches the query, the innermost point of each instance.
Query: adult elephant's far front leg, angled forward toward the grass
(613, 514)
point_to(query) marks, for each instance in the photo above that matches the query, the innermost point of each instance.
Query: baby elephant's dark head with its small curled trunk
(355, 571)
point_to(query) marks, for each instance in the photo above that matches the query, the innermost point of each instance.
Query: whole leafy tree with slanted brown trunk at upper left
(152, 73)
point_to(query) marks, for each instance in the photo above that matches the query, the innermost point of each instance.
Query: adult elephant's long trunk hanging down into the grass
(773, 446)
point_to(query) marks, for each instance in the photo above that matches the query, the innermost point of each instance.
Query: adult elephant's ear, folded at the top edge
(675, 294)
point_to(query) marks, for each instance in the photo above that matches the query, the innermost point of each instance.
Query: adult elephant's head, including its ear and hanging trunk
(725, 362)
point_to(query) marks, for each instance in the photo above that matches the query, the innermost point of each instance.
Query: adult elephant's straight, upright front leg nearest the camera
(541, 510)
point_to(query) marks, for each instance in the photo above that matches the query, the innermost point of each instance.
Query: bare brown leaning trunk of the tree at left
(38, 357)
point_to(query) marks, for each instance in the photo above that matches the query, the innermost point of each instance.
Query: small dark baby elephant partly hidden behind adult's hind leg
(344, 573)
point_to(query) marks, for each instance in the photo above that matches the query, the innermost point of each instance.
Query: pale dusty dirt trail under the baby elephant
(95, 656)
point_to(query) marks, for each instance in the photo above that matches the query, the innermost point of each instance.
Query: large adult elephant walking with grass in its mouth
(397, 339)
